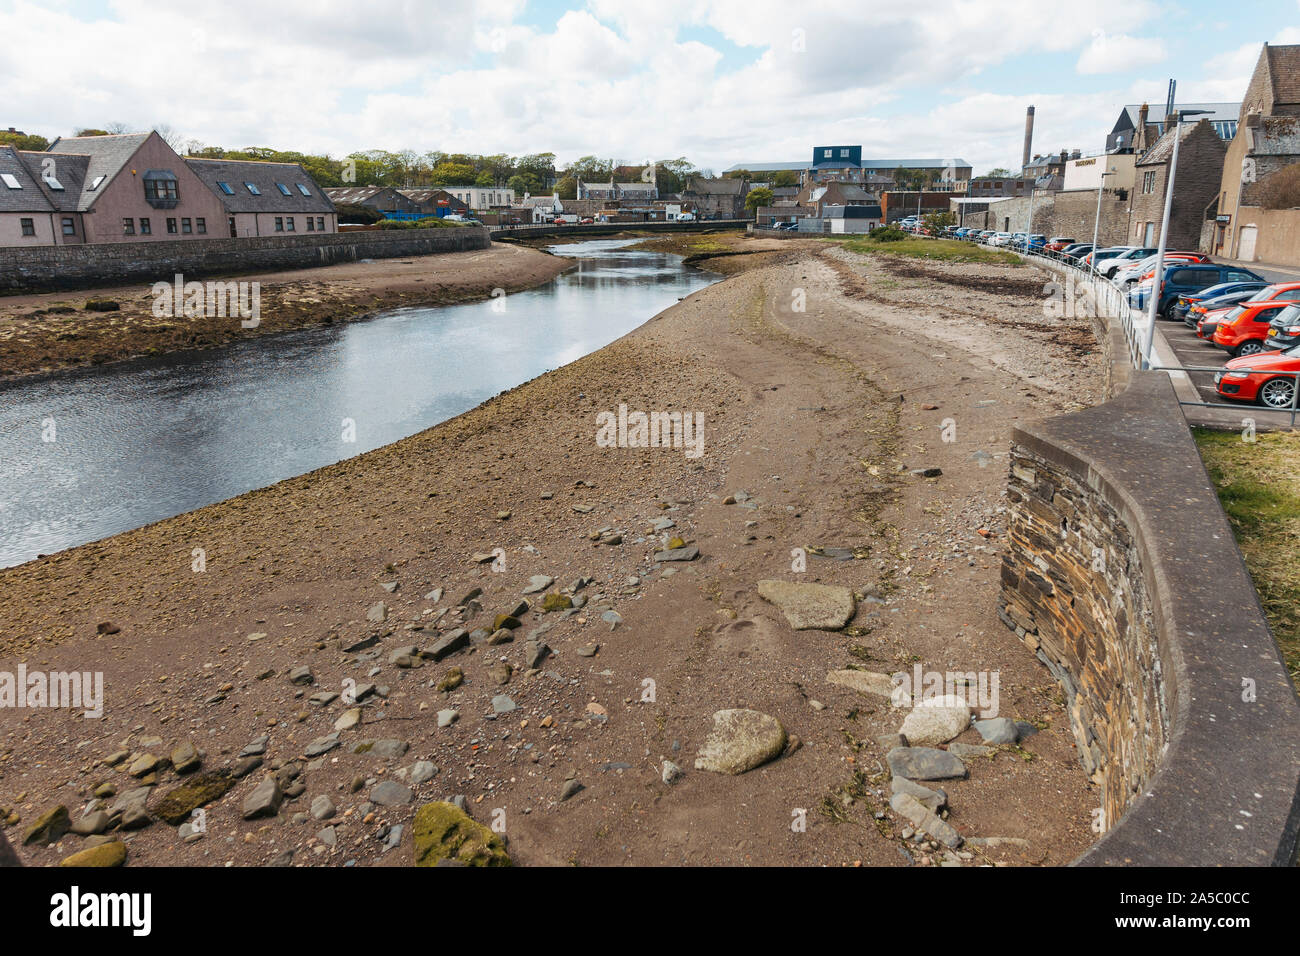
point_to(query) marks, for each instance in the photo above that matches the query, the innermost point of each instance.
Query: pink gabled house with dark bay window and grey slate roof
(129, 188)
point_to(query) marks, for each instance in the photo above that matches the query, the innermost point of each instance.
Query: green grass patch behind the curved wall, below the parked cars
(1259, 486)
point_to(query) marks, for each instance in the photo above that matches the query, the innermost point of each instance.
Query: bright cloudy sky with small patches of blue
(717, 81)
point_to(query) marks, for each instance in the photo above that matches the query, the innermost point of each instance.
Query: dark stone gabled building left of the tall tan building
(1201, 171)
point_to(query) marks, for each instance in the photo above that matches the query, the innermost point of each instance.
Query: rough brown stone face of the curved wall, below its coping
(1073, 591)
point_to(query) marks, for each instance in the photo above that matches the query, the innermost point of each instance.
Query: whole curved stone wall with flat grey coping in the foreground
(1123, 576)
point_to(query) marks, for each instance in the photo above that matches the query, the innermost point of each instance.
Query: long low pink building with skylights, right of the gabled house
(266, 198)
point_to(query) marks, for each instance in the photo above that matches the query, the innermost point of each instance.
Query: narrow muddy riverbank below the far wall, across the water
(50, 332)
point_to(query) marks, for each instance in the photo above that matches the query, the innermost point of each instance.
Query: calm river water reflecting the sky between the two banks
(146, 440)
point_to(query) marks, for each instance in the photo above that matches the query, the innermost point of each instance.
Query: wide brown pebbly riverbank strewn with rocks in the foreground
(852, 419)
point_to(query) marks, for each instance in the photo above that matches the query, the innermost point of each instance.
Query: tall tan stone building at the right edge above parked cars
(1267, 142)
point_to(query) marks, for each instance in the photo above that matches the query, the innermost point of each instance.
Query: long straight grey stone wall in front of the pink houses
(72, 267)
